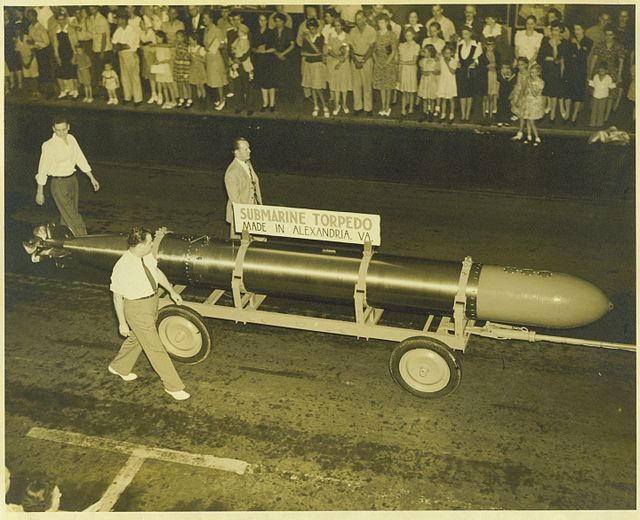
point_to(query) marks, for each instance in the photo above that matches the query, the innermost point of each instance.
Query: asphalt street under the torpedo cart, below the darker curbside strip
(318, 417)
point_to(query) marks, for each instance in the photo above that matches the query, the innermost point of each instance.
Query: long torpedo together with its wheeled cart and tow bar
(462, 294)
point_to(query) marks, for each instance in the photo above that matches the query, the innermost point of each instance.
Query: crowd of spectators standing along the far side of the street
(437, 69)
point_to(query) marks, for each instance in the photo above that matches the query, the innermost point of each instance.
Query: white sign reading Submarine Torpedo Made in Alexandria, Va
(312, 224)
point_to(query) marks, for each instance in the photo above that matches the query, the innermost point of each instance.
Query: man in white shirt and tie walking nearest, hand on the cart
(134, 284)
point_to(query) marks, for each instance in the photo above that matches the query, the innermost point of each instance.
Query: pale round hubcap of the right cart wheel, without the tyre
(424, 370)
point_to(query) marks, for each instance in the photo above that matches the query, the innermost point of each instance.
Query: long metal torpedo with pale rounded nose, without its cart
(313, 272)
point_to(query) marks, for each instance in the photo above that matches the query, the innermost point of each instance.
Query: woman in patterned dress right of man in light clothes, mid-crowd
(385, 66)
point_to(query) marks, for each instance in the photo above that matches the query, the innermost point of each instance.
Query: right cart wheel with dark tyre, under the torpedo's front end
(425, 367)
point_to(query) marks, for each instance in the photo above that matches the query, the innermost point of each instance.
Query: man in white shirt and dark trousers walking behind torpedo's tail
(59, 158)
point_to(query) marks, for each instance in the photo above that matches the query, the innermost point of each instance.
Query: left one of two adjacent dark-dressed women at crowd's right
(551, 58)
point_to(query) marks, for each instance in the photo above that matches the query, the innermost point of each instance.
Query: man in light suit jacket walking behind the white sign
(241, 181)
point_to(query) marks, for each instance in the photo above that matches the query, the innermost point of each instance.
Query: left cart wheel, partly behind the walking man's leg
(183, 334)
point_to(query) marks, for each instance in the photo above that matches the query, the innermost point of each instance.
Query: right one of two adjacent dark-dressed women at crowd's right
(574, 81)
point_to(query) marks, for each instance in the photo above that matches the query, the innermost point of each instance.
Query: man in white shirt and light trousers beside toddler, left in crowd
(126, 40)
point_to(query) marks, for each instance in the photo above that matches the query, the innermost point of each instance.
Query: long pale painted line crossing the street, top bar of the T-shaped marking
(179, 457)
